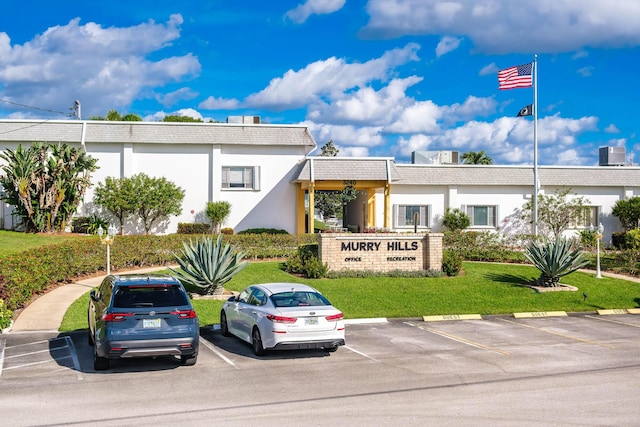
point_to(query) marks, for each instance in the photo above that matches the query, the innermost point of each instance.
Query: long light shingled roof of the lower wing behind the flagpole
(569, 176)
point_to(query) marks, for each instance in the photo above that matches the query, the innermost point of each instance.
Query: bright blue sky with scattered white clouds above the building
(378, 77)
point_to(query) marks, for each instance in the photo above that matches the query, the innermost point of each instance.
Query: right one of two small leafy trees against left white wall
(158, 198)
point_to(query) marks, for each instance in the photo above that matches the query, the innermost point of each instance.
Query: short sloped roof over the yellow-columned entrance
(317, 168)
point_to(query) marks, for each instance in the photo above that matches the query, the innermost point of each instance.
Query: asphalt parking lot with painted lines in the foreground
(577, 370)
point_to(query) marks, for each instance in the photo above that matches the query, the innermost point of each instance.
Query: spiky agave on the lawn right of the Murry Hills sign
(554, 260)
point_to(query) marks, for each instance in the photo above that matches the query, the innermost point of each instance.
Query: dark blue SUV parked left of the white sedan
(142, 316)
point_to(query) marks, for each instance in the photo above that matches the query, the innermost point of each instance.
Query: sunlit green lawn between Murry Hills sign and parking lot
(482, 288)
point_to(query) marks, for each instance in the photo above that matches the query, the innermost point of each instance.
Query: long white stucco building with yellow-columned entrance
(265, 173)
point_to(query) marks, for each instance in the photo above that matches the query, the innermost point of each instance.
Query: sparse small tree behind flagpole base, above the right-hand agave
(556, 211)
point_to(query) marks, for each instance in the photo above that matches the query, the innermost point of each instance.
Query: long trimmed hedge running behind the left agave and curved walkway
(32, 272)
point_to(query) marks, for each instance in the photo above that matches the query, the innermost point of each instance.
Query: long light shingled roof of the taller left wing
(71, 131)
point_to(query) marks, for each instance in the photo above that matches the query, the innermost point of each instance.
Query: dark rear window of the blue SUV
(149, 296)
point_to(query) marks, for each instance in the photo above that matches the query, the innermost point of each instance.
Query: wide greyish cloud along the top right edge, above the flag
(507, 26)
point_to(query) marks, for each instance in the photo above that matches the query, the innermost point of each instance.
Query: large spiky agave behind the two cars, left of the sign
(205, 265)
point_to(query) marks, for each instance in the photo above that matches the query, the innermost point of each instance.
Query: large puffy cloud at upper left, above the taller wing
(104, 68)
